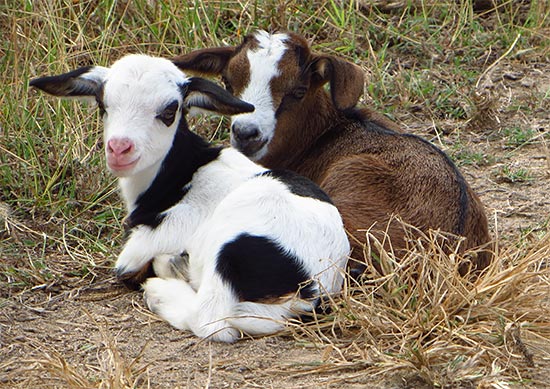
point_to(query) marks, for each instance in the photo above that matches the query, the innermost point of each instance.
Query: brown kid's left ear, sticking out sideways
(205, 61)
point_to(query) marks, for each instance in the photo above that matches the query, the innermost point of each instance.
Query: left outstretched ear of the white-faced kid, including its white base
(84, 82)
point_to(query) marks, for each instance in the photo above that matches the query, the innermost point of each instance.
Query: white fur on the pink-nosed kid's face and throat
(132, 98)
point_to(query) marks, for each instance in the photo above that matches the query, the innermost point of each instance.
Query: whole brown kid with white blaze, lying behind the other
(371, 169)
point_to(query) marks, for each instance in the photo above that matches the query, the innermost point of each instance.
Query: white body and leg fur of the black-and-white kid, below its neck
(224, 202)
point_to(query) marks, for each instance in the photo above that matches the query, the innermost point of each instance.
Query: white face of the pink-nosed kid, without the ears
(140, 118)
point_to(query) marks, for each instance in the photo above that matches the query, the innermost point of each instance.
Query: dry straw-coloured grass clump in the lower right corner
(419, 316)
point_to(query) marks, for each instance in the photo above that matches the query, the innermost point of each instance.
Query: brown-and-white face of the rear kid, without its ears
(267, 72)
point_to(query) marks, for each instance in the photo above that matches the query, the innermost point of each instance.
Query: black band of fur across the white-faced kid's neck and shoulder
(188, 153)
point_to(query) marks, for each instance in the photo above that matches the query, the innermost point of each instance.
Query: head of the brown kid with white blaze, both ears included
(279, 75)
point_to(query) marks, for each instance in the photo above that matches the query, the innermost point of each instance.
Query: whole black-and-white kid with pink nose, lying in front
(256, 246)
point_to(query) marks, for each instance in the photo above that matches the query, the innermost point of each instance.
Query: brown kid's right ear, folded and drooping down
(346, 79)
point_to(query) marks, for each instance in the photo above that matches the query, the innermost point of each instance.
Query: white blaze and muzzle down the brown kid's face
(263, 62)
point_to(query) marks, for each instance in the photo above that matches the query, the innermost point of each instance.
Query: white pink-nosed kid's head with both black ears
(143, 101)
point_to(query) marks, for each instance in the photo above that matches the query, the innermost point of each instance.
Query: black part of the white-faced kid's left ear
(67, 84)
